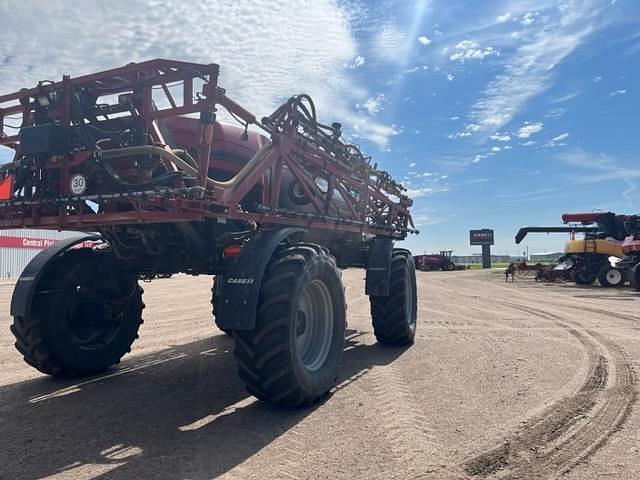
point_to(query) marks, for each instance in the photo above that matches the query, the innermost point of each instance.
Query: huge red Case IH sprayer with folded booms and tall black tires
(116, 154)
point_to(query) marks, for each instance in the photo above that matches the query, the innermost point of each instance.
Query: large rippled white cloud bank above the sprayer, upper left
(256, 74)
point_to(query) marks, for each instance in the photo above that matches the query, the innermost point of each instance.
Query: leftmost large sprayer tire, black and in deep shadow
(84, 316)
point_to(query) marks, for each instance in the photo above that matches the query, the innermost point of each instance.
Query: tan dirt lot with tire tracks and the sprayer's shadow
(504, 380)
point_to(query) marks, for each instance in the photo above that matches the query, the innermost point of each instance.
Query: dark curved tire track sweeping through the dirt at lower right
(572, 428)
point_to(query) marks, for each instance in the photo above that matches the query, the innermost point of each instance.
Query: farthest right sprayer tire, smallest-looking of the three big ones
(394, 316)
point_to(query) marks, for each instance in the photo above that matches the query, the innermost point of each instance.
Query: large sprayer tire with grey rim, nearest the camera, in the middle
(292, 355)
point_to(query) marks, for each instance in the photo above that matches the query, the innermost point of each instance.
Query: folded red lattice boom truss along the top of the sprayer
(354, 195)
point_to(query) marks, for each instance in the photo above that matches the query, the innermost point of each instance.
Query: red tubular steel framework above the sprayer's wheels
(376, 204)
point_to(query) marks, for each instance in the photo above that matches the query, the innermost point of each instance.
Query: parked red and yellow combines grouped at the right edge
(609, 251)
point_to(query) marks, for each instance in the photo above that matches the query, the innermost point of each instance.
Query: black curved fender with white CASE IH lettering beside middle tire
(241, 288)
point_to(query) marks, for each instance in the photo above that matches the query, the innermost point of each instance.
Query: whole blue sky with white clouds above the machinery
(494, 114)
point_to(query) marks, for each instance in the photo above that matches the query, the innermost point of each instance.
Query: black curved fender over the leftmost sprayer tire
(26, 286)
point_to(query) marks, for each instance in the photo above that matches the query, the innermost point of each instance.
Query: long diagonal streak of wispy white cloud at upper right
(527, 72)
